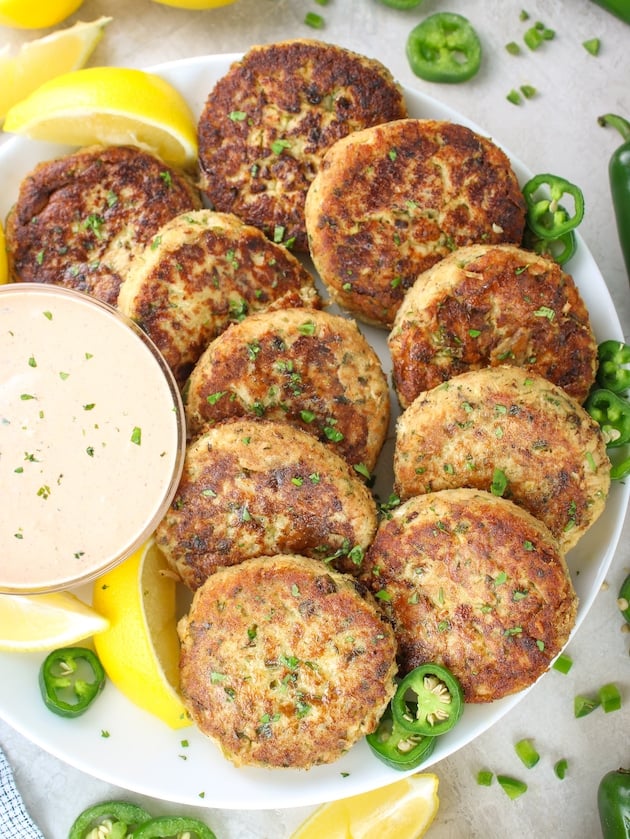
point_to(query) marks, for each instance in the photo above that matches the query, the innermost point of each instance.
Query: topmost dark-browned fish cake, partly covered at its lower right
(268, 121)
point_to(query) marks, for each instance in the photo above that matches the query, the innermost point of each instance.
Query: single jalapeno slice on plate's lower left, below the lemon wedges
(70, 679)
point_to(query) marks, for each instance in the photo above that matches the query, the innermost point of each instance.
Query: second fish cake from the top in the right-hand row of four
(486, 305)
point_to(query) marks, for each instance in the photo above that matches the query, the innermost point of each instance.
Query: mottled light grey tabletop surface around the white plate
(557, 132)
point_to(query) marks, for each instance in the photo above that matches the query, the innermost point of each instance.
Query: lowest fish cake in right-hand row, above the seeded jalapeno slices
(475, 583)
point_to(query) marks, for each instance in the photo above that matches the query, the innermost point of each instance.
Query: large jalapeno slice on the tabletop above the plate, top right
(444, 47)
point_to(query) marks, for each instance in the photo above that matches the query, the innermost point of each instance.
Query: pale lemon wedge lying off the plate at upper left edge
(44, 58)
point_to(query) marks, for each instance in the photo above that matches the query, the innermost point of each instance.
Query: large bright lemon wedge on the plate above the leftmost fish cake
(112, 106)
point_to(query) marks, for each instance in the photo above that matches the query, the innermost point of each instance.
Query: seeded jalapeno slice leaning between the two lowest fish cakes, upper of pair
(428, 701)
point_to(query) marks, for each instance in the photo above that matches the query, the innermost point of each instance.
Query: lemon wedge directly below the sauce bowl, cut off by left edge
(45, 621)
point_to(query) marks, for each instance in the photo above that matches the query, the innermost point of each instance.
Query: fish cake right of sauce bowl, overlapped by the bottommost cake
(255, 487)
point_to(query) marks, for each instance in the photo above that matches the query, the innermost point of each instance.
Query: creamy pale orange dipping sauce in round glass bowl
(91, 437)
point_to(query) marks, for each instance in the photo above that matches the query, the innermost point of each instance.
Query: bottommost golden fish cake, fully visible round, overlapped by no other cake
(285, 663)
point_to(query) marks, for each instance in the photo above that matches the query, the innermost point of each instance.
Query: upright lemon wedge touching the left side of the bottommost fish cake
(140, 650)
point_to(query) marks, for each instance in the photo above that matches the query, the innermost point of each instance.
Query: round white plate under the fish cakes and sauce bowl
(124, 746)
